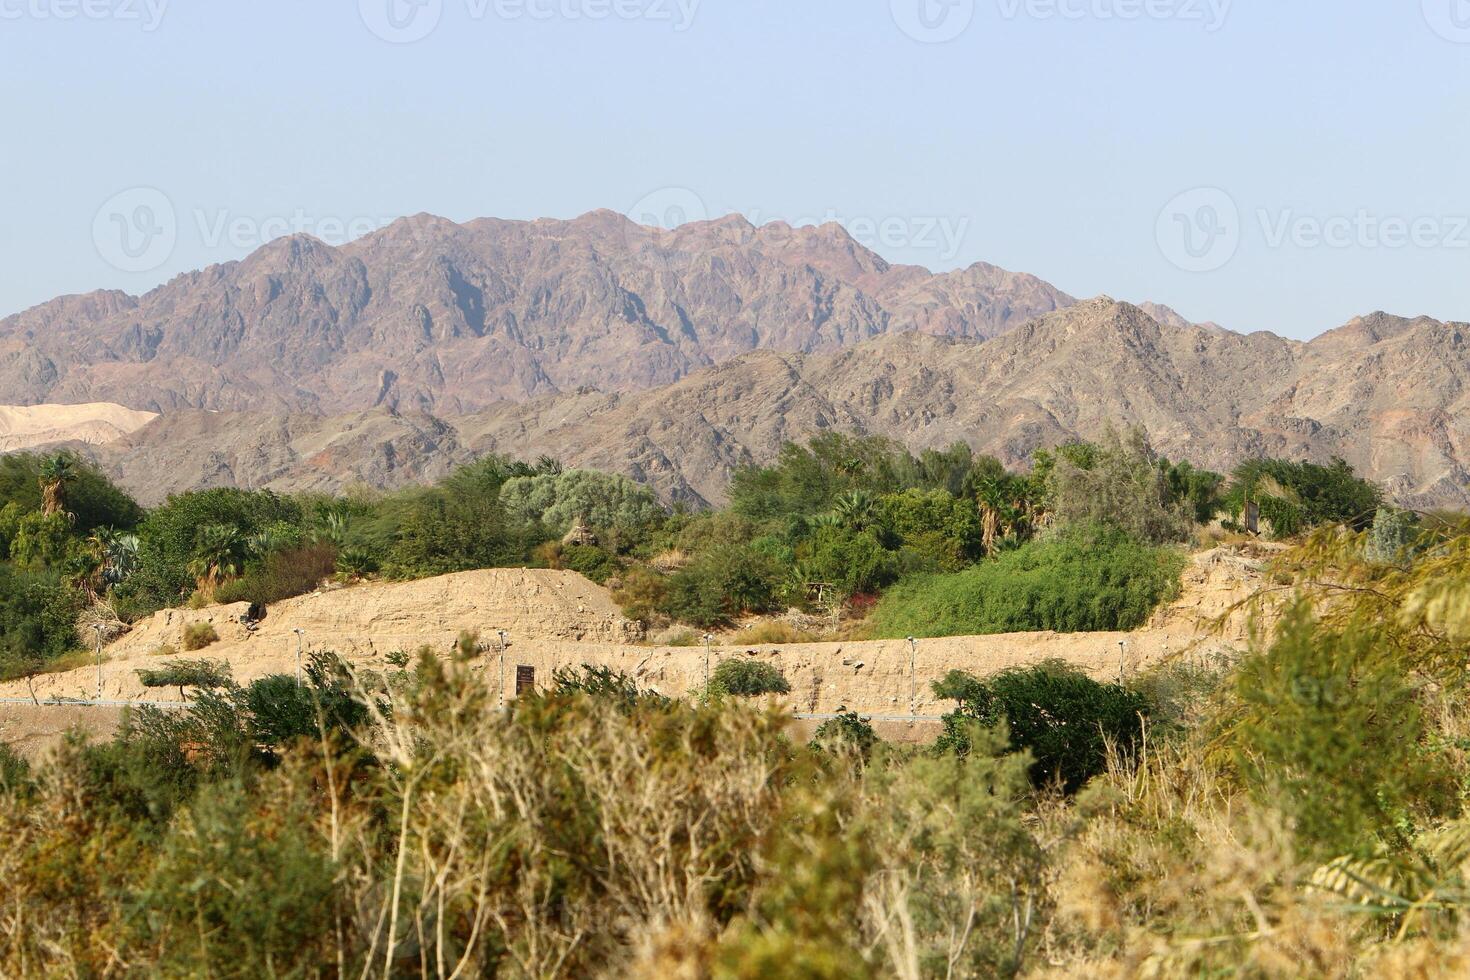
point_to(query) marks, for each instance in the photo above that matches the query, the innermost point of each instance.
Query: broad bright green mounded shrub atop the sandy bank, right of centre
(1086, 580)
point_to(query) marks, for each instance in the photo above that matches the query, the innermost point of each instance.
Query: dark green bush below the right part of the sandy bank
(1056, 713)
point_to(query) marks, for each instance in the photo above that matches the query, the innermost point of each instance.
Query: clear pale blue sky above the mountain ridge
(1280, 165)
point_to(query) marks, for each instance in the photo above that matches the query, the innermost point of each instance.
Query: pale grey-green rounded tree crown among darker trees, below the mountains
(602, 500)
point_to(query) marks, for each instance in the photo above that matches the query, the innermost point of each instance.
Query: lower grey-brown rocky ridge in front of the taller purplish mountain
(1387, 394)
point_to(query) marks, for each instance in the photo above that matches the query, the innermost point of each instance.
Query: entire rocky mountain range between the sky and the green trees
(678, 356)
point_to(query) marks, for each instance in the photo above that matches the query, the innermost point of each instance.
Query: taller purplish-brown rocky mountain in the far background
(429, 315)
